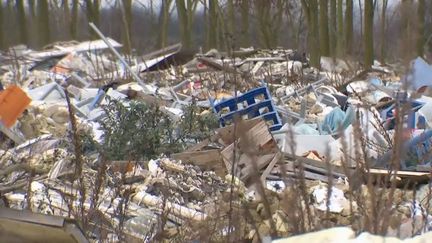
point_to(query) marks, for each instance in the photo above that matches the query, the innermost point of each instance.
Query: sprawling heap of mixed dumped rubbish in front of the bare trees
(254, 145)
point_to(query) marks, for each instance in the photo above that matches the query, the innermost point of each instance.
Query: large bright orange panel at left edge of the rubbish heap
(13, 102)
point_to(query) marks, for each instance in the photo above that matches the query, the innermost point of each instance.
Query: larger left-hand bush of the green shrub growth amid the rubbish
(137, 131)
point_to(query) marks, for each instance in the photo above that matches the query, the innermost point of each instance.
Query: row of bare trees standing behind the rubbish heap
(364, 29)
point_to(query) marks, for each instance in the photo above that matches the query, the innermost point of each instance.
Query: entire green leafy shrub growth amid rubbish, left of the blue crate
(141, 131)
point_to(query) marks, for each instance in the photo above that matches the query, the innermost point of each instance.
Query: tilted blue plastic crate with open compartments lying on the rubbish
(252, 104)
